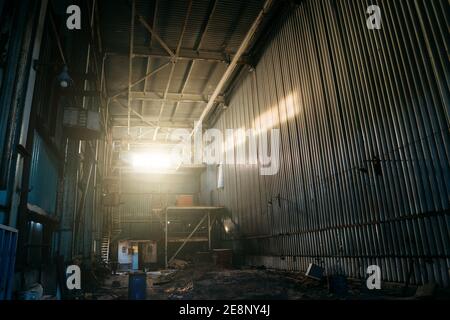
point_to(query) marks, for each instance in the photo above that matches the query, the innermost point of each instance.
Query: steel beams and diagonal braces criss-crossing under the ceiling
(174, 55)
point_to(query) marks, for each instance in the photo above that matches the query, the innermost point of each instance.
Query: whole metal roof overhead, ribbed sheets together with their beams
(169, 98)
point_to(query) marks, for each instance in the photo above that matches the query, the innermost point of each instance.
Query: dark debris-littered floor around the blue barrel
(208, 283)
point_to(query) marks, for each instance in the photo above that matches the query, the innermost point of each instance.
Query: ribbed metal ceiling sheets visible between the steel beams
(225, 28)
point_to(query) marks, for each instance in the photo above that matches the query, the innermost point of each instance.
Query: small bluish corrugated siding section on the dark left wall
(44, 177)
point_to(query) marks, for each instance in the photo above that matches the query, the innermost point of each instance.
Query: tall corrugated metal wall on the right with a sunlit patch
(344, 96)
